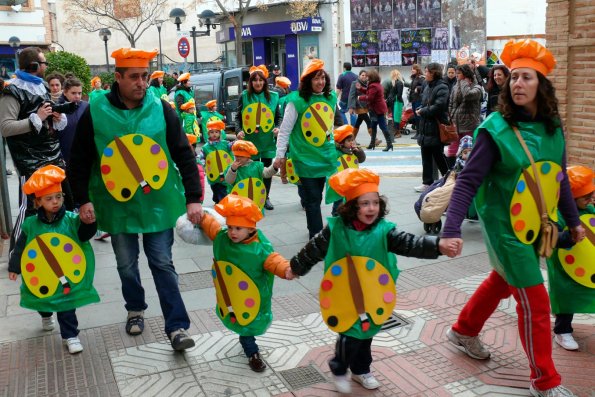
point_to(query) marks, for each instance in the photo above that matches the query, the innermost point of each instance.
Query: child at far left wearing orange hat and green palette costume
(54, 257)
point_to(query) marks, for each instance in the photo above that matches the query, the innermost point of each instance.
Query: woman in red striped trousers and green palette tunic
(507, 201)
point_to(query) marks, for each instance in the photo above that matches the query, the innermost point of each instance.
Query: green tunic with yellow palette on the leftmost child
(56, 267)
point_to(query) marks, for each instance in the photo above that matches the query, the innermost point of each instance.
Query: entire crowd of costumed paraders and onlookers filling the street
(128, 152)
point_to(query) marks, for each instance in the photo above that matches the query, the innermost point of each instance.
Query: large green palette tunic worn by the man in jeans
(135, 187)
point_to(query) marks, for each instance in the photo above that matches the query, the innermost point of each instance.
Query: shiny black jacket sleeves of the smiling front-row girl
(399, 242)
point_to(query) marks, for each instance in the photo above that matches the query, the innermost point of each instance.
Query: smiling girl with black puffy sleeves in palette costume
(357, 292)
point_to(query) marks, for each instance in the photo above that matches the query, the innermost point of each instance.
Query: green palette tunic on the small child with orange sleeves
(244, 288)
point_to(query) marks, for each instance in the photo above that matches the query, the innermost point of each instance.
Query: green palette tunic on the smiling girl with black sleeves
(357, 292)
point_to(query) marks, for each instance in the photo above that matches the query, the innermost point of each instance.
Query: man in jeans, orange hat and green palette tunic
(127, 156)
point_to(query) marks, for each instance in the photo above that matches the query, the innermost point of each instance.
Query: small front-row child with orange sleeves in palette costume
(245, 309)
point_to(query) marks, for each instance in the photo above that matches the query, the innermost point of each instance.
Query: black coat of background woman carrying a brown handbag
(434, 105)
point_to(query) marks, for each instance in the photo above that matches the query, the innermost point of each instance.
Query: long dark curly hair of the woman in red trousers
(547, 104)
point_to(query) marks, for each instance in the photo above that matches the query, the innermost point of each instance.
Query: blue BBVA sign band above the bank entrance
(301, 26)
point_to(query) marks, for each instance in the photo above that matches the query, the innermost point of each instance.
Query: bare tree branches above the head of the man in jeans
(131, 17)
